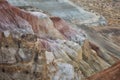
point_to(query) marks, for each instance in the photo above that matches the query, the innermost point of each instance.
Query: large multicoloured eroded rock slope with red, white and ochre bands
(34, 46)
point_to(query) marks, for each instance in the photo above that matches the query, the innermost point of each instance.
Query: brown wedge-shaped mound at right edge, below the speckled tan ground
(112, 33)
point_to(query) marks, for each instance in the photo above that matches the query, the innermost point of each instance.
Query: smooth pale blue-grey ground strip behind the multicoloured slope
(64, 9)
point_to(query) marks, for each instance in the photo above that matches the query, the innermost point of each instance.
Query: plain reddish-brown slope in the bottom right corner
(111, 73)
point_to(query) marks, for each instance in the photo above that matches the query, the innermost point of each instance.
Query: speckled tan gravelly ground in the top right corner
(110, 9)
